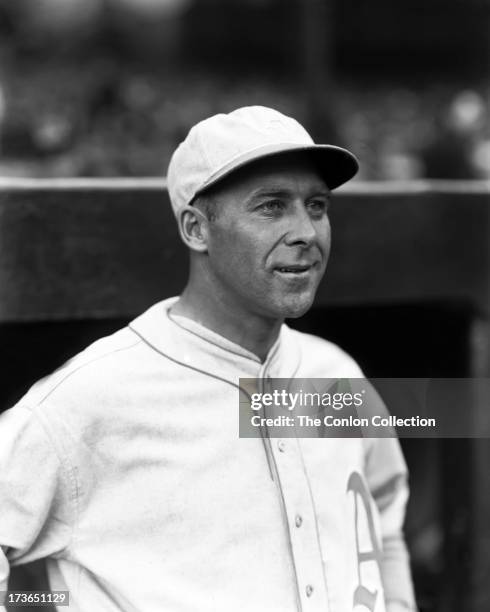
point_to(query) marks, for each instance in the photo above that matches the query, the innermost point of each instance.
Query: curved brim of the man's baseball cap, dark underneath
(336, 165)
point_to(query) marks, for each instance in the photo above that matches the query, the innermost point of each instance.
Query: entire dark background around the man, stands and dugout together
(108, 88)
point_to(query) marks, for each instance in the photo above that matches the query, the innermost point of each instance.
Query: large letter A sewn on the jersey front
(362, 595)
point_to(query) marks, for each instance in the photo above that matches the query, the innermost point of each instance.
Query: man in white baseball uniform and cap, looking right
(124, 468)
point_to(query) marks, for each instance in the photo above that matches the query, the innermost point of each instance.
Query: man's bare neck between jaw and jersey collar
(255, 334)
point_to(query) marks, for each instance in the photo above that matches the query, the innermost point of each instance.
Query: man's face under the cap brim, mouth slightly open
(269, 245)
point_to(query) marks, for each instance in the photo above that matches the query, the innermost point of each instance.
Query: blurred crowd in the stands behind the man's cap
(96, 88)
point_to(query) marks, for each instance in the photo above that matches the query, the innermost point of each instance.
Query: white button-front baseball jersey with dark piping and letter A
(125, 470)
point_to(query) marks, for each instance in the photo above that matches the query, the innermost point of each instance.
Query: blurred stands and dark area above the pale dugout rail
(109, 87)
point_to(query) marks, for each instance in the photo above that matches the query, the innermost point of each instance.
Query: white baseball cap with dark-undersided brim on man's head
(223, 143)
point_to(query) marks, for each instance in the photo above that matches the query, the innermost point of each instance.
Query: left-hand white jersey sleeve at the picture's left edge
(35, 492)
